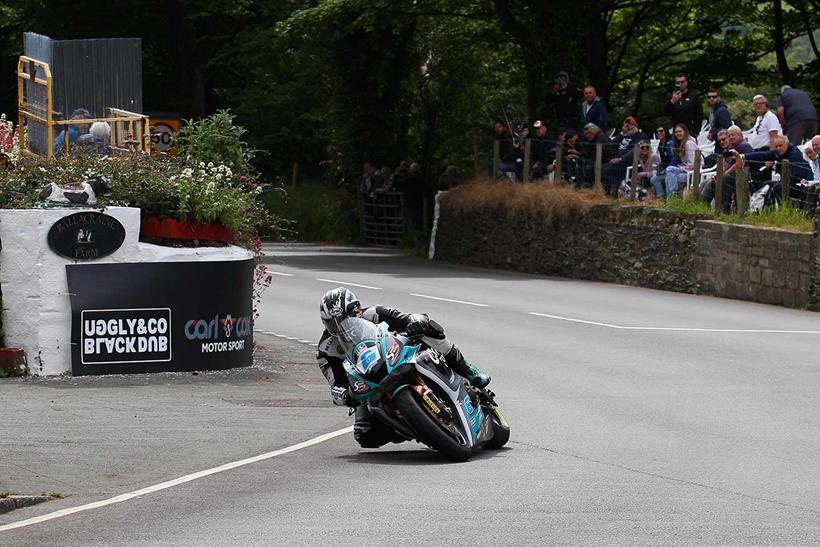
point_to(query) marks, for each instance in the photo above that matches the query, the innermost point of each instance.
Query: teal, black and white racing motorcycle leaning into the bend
(411, 389)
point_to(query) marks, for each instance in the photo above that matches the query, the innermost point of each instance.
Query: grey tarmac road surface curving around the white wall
(638, 416)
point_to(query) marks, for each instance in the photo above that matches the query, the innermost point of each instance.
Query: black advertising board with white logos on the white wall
(160, 316)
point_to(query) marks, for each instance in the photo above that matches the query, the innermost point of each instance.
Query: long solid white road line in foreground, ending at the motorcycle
(174, 482)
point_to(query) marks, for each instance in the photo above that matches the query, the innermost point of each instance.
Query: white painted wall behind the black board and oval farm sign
(36, 306)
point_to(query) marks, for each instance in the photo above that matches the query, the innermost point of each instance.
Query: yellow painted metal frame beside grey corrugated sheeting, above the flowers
(137, 138)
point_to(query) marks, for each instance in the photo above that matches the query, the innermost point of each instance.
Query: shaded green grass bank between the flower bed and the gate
(318, 212)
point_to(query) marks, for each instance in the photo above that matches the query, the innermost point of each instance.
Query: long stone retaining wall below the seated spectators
(643, 247)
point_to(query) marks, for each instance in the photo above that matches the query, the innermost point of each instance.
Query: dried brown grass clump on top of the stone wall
(543, 200)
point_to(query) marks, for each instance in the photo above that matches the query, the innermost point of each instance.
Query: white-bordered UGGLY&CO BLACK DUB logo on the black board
(125, 336)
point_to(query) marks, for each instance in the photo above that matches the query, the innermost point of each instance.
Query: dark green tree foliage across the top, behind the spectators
(417, 79)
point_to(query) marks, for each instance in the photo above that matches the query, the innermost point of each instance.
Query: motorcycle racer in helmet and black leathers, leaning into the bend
(340, 303)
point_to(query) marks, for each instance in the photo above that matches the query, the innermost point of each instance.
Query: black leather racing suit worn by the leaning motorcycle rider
(369, 432)
